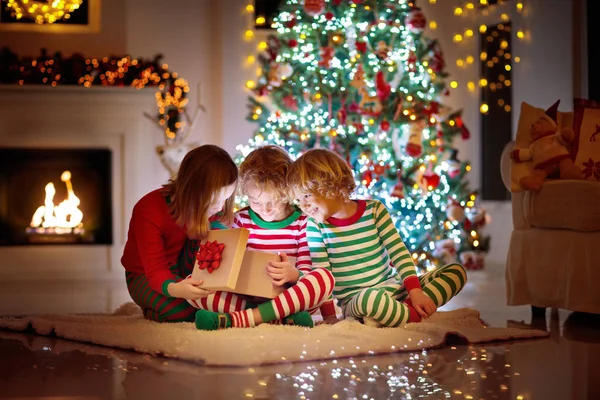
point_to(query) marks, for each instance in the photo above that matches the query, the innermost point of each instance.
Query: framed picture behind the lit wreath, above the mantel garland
(85, 19)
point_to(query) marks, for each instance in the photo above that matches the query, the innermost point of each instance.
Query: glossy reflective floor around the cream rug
(564, 366)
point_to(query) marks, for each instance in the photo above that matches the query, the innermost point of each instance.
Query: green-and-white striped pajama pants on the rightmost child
(385, 303)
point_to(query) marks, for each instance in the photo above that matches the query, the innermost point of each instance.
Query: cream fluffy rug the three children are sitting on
(265, 344)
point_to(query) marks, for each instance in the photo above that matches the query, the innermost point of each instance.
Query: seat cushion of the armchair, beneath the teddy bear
(564, 204)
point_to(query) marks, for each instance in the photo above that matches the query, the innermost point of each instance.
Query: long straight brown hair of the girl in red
(203, 172)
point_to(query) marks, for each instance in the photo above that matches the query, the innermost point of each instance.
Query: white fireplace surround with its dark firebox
(101, 137)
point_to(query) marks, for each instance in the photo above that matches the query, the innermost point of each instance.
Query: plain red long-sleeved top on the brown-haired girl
(154, 242)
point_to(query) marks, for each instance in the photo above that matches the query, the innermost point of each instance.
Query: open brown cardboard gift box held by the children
(241, 271)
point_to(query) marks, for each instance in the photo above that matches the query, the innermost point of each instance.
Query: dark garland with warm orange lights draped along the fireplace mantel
(54, 70)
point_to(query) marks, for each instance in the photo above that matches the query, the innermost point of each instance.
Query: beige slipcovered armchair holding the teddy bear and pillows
(554, 252)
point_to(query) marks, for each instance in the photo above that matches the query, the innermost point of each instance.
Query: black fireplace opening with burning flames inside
(55, 196)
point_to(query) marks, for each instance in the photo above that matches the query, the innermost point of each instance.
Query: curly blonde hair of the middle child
(266, 168)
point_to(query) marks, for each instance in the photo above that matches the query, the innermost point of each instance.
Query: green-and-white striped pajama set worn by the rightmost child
(372, 267)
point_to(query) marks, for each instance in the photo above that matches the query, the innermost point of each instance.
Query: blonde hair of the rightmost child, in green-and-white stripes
(321, 171)
